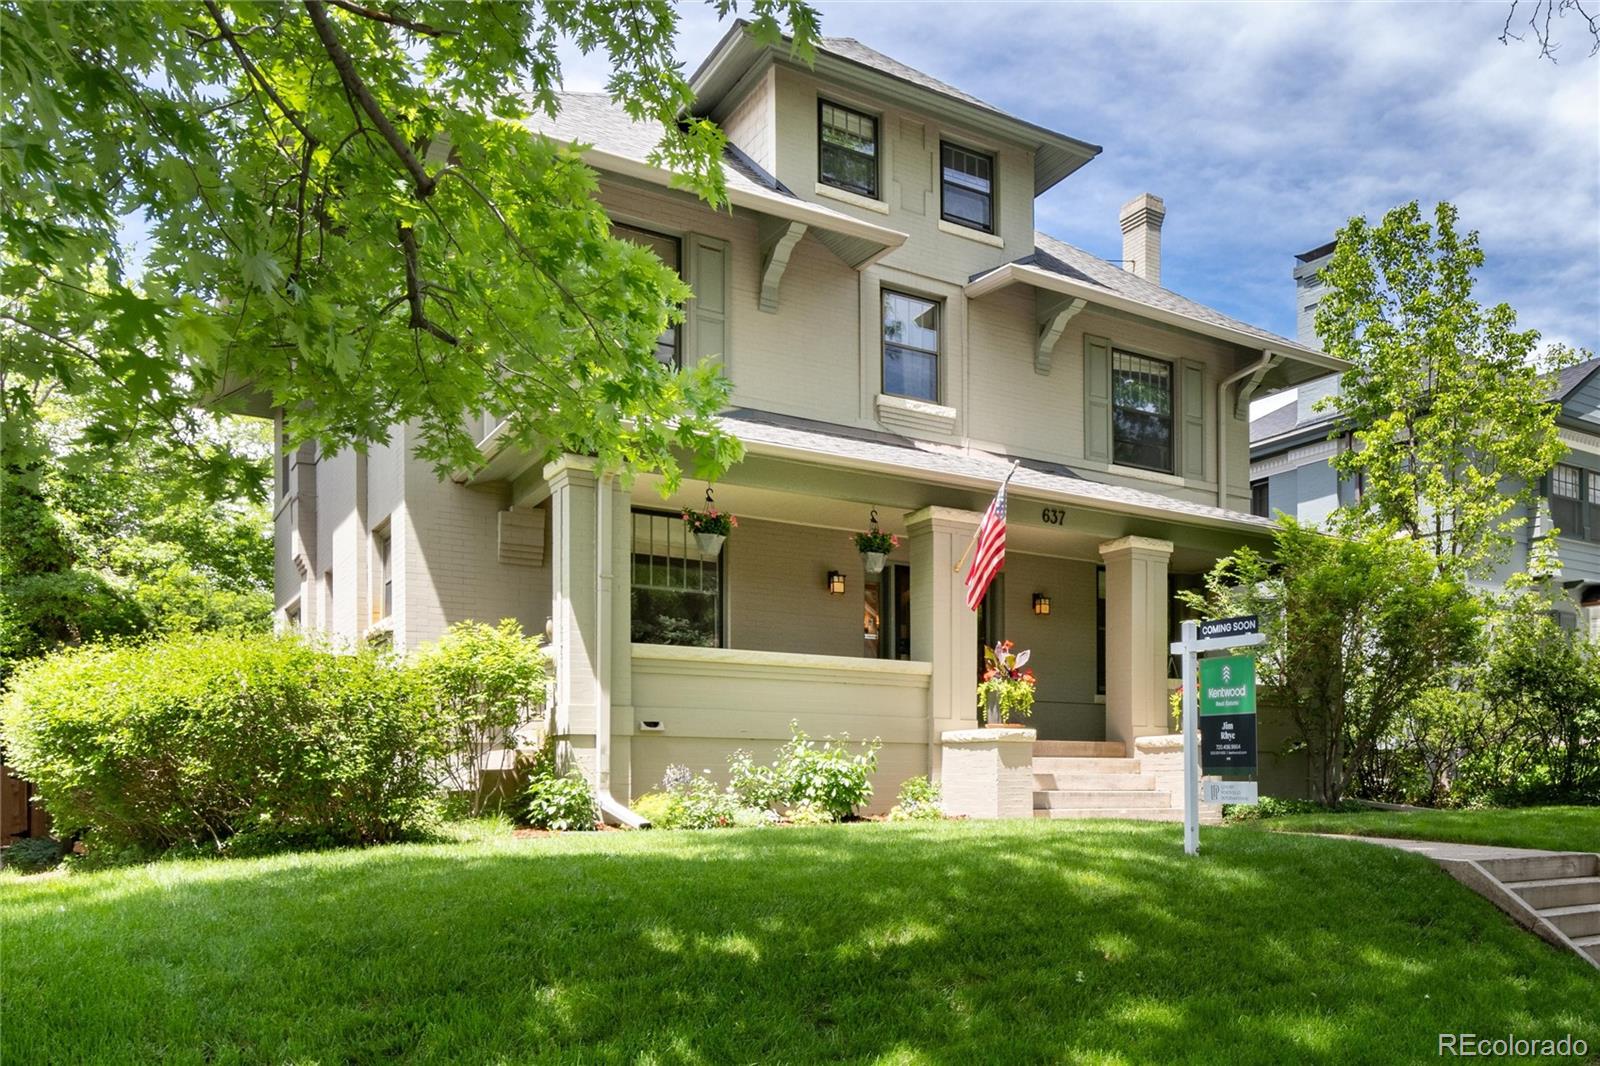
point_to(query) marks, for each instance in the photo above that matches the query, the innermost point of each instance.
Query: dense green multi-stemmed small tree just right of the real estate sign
(1359, 625)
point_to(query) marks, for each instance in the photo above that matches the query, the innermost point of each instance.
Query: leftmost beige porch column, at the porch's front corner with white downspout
(590, 598)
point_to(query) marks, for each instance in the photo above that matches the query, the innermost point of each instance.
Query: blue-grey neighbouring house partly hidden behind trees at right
(1292, 449)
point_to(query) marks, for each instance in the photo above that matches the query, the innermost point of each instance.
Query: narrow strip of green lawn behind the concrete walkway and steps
(1550, 828)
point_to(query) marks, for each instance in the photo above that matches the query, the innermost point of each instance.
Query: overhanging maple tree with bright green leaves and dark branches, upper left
(338, 207)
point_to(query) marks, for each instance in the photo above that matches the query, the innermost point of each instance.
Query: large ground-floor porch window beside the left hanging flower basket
(678, 590)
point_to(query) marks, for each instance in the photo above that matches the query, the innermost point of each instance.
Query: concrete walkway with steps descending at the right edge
(1554, 896)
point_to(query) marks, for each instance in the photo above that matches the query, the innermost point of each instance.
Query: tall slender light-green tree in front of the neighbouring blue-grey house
(1450, 404)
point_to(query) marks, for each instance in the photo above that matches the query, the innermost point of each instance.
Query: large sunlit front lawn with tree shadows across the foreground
(878, 944)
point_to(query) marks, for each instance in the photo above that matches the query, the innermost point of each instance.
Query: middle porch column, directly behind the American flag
(943, 631)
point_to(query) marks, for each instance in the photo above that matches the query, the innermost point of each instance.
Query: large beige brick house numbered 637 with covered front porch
(897, 334)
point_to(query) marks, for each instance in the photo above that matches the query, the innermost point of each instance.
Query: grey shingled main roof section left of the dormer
(622, 145)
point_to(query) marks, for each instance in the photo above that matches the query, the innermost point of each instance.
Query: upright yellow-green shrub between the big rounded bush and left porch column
(481, 684)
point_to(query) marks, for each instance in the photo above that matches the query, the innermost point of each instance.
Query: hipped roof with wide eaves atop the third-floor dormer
(730, 65)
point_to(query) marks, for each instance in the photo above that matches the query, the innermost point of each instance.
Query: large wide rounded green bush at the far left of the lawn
(196, 739)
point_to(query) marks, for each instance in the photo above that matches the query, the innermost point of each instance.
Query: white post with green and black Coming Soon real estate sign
(1231, 695)
